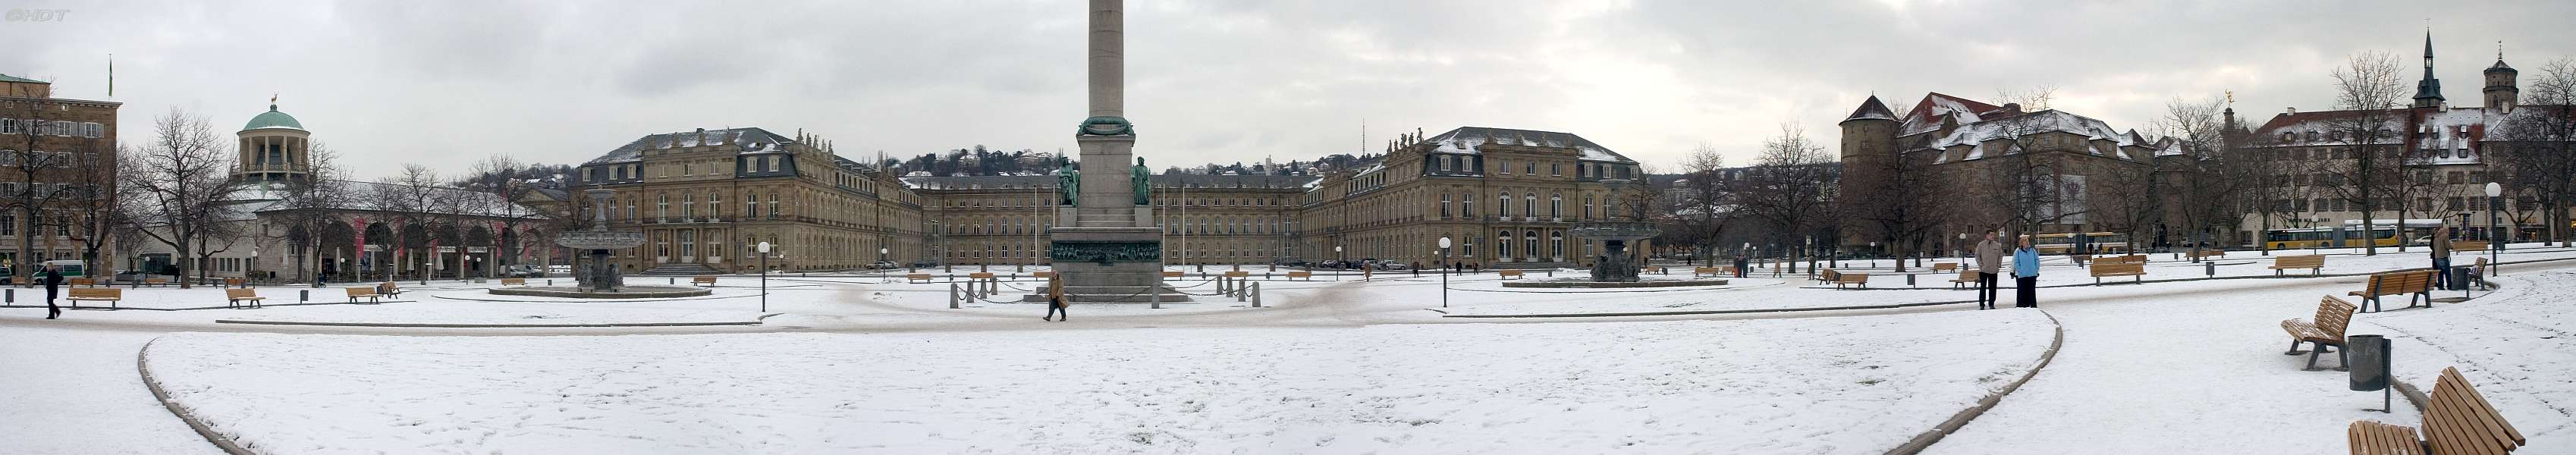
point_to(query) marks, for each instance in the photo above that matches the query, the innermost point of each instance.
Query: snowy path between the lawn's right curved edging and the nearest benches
(2186, 371)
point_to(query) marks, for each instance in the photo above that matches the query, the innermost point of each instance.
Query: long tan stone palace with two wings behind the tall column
(1506, 197)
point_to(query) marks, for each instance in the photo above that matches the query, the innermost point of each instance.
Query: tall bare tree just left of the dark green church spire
(2369, 91)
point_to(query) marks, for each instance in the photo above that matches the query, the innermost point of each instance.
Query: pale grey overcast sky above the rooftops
(565, 81)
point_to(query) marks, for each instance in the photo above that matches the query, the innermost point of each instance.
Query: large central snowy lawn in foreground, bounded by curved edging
(1856, 384)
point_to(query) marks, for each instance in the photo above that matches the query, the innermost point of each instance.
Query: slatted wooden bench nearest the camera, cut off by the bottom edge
(2456, 420)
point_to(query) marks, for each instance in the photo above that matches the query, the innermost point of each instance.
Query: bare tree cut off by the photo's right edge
(2541, 158)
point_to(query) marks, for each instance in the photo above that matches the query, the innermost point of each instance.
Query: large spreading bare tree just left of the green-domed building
(176, 186)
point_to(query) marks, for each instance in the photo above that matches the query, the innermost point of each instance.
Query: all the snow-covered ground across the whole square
(2142, 364)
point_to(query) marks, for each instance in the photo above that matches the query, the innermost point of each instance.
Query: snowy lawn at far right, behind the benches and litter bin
(2518, 348)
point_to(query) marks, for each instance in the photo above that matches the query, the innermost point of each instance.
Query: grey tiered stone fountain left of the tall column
(599, 279)
